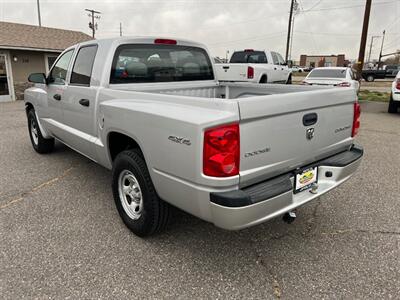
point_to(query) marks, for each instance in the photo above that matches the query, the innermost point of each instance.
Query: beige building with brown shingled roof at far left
(26, 49)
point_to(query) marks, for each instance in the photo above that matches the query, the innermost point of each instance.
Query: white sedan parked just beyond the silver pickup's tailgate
(332, 76)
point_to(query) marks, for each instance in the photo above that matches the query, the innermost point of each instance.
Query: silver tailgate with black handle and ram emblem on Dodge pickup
(273, 130)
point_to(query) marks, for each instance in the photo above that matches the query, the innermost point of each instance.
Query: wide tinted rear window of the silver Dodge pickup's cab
(141, 63)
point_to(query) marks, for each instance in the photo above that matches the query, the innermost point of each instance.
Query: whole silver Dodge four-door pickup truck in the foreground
(234, 154)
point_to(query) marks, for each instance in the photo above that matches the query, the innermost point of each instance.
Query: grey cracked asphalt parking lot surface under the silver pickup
(61, 237)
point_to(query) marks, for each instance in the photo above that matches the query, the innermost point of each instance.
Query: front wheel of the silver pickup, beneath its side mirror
(39, 143)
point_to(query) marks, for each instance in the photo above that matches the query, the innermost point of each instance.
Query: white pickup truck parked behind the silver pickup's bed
(255, 66)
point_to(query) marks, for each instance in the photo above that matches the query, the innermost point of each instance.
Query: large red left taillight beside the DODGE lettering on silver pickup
(221, 151)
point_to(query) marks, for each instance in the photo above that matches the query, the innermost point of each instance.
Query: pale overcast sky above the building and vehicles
(321, 27)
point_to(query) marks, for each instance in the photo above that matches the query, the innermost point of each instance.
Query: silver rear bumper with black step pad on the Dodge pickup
(263, 201)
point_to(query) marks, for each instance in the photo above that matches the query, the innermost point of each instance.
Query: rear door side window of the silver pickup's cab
(82, 70)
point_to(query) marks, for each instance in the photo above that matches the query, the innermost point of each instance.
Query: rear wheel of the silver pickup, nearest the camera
(137, 202)
